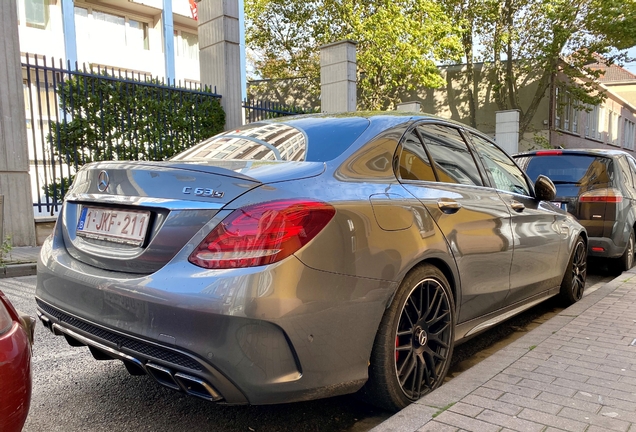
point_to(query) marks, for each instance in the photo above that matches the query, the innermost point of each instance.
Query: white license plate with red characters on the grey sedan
(117, 226)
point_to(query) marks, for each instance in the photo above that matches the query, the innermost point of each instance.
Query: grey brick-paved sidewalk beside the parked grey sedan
(576, 372)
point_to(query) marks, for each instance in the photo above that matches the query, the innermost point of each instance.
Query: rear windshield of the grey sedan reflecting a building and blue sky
(312, 139)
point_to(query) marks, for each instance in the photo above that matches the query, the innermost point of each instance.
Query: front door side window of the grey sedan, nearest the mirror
(502, 170)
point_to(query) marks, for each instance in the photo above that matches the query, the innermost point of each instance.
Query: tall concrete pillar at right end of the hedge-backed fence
(220, 55)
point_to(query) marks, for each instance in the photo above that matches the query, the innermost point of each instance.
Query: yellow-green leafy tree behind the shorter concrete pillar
(399, 42)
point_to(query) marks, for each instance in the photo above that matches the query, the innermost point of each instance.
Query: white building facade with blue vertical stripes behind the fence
(120, 34)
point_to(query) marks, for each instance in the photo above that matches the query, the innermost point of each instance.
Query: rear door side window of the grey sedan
(453, 161)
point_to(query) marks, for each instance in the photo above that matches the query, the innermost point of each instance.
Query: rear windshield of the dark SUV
(568, 169)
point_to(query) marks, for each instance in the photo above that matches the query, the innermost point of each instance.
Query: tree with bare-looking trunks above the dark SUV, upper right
(534, 40)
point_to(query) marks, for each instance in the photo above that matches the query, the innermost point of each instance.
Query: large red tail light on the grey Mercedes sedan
(262, 234)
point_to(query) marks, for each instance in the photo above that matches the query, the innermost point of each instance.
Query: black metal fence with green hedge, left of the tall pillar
(76, 116)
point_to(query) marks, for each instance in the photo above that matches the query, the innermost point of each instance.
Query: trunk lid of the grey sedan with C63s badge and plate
(135, 216)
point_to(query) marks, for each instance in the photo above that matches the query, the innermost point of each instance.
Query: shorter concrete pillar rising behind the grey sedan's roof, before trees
(338, 91)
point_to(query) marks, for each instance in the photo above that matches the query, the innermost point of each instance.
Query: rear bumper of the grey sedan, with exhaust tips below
(270, 334)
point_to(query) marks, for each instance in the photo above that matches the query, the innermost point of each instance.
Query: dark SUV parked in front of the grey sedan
(599, 188)
